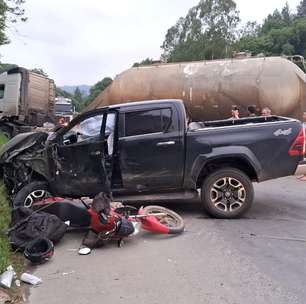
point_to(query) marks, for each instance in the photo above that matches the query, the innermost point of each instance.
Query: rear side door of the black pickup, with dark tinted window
(151, 149)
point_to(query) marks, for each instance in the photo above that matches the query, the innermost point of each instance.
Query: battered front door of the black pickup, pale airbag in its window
(79, 168)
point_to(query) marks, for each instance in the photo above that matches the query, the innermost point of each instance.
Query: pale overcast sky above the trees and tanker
(80, 42)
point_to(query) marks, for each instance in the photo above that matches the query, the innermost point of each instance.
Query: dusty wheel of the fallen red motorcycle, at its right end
(171, 219)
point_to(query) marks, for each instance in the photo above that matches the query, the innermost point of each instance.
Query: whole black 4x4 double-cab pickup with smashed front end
(147, 151)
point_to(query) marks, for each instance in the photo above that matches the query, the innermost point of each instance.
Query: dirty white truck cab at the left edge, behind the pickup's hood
(26, 100)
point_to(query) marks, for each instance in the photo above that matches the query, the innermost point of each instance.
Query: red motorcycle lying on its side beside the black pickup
(117, 224)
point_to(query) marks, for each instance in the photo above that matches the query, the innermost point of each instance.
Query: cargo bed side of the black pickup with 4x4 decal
(264, 142)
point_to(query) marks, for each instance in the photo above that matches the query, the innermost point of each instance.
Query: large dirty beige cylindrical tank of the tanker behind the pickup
(210, 88)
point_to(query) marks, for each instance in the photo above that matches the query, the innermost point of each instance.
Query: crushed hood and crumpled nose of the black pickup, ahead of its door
(24, 159)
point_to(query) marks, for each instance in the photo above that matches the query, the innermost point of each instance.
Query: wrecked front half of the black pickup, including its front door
(67, 162)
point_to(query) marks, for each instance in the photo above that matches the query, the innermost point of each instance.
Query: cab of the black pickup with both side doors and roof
(141, 146)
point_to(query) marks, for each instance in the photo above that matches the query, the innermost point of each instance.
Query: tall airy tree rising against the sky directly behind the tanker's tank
(207, 32)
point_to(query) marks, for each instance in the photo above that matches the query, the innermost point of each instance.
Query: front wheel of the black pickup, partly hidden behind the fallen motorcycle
(31, 193)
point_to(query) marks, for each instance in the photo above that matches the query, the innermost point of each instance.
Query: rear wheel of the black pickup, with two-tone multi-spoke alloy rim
(227, 193)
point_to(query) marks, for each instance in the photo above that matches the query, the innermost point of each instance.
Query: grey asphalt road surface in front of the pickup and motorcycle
(258, 259)
